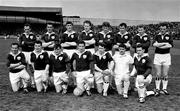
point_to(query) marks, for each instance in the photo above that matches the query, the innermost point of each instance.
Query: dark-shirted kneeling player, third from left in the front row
(61, 67)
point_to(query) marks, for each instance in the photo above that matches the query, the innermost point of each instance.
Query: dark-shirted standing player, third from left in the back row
(69, 39)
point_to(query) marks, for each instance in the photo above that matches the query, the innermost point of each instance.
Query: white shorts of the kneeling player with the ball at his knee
(84, 76)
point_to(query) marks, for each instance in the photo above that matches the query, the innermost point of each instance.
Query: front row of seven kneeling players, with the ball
(85, 67)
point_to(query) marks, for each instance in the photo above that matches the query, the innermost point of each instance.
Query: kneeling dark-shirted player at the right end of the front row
(142, 69)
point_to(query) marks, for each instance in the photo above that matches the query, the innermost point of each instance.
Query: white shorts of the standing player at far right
(162, 59)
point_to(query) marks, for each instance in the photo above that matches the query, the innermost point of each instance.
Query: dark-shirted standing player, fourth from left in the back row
(88, 36)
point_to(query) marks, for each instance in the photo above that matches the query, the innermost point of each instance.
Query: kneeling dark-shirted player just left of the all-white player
(103, 70)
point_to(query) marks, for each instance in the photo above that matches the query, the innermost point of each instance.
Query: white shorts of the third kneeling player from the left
(60, 77)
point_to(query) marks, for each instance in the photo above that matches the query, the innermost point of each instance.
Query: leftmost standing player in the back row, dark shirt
(26, 41)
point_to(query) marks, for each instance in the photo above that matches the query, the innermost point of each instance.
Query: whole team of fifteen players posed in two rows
(91, 59)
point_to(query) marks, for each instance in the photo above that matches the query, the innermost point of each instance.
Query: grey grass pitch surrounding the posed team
(51, 101)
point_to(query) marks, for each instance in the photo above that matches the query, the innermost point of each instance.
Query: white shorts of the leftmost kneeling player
(15, 77)
